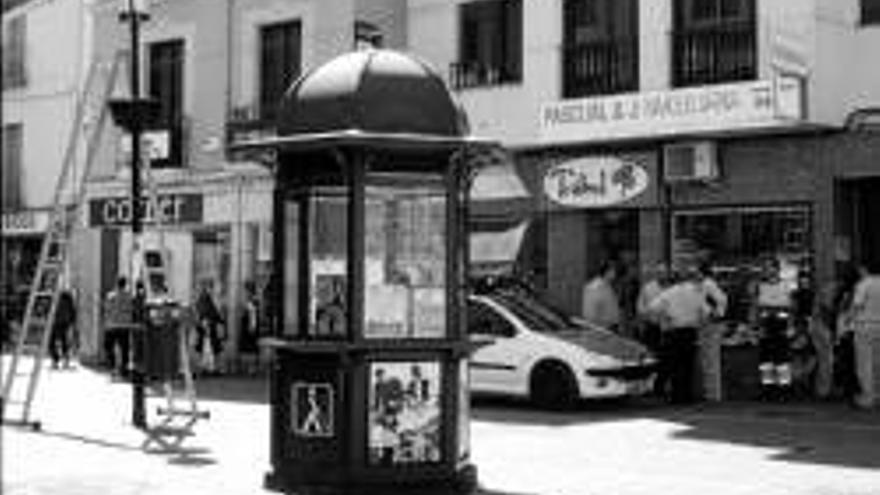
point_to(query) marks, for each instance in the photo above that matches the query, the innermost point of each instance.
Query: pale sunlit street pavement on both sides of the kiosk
(88, 447)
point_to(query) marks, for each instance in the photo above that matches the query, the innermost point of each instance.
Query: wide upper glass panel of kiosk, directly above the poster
(405, 257)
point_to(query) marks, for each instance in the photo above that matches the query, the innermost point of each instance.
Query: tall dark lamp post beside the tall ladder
(133, 115)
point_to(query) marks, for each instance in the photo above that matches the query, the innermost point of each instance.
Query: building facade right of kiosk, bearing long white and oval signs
(730, 131)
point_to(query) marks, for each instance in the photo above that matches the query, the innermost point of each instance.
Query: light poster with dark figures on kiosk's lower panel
(404, 412)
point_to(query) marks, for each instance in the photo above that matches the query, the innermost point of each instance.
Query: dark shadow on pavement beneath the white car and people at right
(805, 432)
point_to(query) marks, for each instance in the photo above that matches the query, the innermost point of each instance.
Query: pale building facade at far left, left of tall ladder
(46, 55)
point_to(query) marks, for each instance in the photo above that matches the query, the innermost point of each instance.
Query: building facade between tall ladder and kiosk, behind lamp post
(218, 70)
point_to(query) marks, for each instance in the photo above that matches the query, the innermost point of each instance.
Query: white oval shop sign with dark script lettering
(595, 181)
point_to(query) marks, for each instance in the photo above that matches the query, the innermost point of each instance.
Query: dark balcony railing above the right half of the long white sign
(716, 54)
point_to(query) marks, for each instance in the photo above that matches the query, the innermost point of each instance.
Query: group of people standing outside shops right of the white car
(805, 340)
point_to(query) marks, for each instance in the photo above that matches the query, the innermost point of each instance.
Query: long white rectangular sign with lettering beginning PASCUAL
(714, 108)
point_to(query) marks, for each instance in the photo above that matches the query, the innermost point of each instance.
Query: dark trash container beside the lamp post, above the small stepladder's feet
(162, 341)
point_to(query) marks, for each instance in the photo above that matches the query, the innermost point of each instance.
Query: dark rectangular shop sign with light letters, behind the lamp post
(167, 209)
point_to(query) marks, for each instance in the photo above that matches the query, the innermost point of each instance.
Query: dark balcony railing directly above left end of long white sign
(600, 67)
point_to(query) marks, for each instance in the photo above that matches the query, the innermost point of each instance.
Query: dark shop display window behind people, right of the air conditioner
(738, 242)
